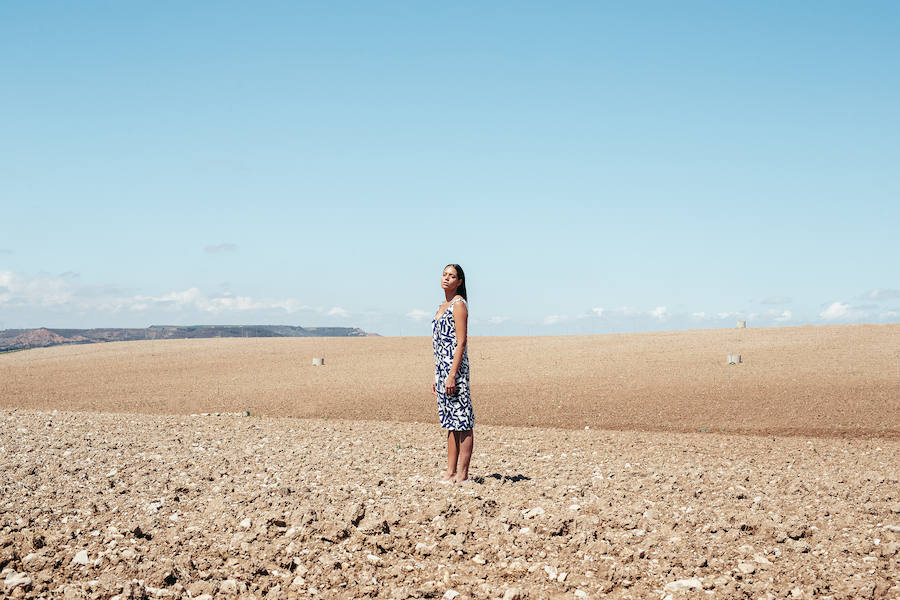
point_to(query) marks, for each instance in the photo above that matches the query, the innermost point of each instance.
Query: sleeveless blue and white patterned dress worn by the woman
(455, 411)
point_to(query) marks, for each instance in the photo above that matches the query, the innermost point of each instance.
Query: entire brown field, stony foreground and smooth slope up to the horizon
(662, 497)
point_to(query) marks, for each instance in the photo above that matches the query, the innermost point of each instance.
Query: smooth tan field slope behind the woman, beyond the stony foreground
(833, 380)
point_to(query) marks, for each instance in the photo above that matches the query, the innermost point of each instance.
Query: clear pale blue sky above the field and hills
(596, 167)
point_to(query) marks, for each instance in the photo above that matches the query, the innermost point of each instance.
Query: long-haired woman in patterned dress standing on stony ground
(451, 374)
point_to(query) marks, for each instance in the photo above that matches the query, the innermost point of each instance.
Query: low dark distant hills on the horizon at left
(22, 339)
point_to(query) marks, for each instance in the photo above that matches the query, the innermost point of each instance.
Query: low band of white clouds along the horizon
(67, 297)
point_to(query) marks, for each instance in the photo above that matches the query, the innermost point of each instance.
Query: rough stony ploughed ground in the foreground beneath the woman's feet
(102, 505)
